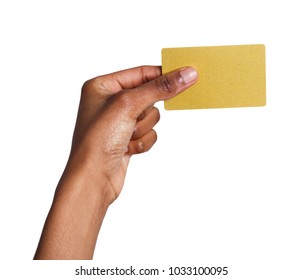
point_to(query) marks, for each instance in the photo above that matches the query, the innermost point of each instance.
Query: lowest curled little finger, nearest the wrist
(142, 144)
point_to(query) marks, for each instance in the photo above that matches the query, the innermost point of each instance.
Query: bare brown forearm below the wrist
(74, 220)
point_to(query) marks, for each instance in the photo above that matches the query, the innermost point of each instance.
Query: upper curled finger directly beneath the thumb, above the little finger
(151, 118)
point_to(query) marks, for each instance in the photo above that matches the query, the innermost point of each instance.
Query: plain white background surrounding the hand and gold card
(221, 187)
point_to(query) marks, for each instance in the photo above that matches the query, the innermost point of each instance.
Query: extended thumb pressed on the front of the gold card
(161, 88)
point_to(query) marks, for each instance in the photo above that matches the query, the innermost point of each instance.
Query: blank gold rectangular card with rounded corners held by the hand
(229, 76)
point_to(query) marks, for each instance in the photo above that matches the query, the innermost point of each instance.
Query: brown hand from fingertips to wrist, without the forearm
(116, 119)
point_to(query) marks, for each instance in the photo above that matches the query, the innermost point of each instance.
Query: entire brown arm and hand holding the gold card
(115, 121)
